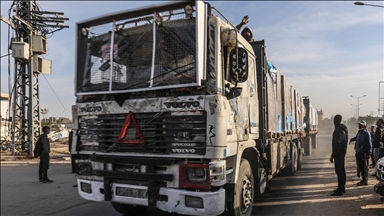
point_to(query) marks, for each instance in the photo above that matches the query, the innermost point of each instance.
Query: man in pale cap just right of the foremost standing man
(363, 151)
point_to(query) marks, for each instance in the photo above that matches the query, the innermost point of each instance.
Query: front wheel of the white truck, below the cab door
(244, 191)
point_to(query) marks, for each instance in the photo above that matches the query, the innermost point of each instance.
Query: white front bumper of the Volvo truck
(213, 202)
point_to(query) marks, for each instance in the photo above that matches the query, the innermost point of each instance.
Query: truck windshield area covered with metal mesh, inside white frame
(152, 51)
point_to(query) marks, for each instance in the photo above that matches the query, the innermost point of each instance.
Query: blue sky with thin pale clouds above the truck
(328, 50)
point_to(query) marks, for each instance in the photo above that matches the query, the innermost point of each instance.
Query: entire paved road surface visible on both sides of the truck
(306, 193)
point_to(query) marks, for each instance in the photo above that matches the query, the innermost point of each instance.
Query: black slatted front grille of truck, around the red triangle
(163, 133)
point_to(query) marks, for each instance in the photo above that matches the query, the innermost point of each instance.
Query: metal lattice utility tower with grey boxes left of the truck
(31, 28)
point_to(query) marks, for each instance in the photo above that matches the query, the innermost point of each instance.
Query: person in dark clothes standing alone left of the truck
(44, 157)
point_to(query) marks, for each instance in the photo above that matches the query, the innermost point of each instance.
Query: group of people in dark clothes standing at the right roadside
(367, 145)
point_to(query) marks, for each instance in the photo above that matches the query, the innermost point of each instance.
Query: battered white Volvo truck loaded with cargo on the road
(176, 110)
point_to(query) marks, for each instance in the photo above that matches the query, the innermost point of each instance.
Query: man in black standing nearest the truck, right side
(339, 150)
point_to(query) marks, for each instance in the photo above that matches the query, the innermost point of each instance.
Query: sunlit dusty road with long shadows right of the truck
(308, 192)
